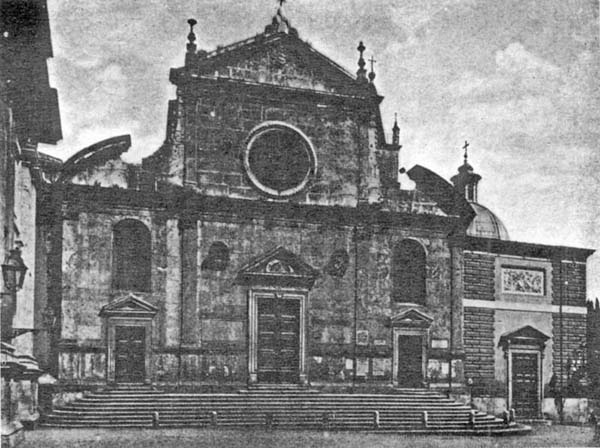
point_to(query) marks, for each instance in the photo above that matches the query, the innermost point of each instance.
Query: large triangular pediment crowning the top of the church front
(279, 59)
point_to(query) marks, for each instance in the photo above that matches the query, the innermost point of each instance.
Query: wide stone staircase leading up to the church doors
(405, 411)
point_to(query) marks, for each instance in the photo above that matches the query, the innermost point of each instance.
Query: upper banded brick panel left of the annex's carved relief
(479, 276)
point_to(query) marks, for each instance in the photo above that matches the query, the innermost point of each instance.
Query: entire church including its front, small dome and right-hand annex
(268, 243)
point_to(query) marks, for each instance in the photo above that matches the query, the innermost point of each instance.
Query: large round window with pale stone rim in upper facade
(279, 159)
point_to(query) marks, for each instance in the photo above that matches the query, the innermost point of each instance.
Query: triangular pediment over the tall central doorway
(278, 267)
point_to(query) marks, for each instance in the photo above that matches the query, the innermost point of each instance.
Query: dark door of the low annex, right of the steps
(525, 384)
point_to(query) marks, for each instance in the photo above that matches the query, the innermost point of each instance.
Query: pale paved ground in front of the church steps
(553, 436)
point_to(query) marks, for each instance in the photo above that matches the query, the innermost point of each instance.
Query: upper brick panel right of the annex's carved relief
(573, 292)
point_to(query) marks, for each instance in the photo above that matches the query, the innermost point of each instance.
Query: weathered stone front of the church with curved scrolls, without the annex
(208, 219)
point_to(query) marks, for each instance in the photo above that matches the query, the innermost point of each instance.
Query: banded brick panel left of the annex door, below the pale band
(479, 344)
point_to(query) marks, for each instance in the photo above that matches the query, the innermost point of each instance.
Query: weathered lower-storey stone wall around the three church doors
(208, 338)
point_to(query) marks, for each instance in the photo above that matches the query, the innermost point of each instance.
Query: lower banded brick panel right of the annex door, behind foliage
(573, 334)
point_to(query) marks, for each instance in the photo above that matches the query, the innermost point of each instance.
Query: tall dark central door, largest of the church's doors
(278, 340)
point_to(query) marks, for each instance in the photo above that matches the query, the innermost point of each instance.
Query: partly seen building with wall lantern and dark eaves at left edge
(29, 116)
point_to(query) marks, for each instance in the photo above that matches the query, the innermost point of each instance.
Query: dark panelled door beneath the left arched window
(130, 348)
